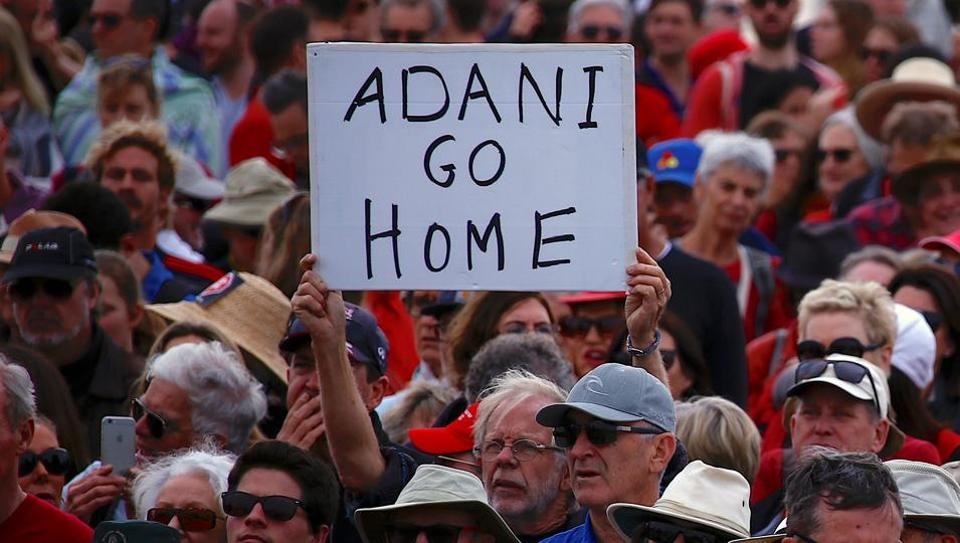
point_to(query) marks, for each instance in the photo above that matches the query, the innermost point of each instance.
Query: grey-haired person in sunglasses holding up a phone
(196, 392)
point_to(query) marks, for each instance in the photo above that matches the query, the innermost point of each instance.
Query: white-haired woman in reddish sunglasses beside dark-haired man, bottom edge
(183, 491)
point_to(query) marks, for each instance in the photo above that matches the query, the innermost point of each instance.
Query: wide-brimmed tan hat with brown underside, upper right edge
(913, 80)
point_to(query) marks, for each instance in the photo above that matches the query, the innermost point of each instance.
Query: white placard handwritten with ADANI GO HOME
(465, 167)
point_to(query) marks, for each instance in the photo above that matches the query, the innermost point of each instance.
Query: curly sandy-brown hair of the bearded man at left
(148, 135)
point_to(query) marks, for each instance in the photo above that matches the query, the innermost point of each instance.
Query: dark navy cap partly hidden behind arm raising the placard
(366, 342)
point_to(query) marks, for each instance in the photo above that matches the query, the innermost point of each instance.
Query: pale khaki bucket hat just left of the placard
(254, 188)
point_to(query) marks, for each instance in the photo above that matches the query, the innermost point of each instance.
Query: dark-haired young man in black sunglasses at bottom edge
(278, 493)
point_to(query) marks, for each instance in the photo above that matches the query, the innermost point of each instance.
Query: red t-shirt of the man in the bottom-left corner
(38, 521)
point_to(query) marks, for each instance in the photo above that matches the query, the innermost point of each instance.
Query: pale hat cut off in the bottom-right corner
(929, 494)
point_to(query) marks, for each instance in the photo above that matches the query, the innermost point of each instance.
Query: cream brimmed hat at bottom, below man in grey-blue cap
(704, 497)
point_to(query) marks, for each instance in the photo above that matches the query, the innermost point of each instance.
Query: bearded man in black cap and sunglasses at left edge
(53, 289)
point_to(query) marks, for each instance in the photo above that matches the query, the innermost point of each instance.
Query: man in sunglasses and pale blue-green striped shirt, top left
(134, 27)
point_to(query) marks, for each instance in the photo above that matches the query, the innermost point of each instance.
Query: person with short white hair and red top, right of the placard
(731, 181)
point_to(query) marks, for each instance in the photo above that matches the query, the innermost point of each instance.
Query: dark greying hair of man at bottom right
(844, 481)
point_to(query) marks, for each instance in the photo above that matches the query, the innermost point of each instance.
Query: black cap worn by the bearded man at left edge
(53, 253)
